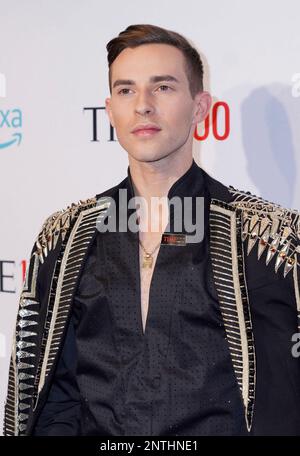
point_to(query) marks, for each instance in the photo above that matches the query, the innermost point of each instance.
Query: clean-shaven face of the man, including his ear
(167, 104)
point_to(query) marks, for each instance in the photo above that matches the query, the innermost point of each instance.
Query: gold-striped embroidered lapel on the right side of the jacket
(227, 256)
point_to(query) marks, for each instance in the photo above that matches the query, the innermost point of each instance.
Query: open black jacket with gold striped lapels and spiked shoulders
(253, 246)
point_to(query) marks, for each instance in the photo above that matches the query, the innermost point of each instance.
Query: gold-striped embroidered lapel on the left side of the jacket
(64, 282)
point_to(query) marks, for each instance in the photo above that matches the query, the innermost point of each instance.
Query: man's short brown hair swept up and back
(138, 34)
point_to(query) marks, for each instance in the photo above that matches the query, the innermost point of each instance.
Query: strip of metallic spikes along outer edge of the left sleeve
(24, 344)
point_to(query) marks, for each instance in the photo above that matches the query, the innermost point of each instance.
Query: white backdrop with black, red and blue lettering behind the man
(56, 142)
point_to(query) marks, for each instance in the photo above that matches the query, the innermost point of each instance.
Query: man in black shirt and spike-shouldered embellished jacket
(124, 332)
